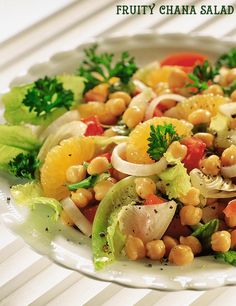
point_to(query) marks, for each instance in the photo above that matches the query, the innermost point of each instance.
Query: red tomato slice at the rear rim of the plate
(184, 59)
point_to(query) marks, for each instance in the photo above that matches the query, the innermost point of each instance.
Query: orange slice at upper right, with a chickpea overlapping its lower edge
(208, 102)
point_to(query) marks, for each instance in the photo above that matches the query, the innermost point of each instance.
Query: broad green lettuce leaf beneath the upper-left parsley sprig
(16, 112)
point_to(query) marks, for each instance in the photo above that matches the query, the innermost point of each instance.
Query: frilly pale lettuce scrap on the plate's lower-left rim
(31, 195)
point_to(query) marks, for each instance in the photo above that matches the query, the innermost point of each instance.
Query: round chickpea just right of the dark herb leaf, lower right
(221, 241)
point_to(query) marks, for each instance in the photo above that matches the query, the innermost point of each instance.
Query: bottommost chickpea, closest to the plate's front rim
(181, 255)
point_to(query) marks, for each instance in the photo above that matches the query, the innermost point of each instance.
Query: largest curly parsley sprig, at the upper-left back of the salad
(98, 68)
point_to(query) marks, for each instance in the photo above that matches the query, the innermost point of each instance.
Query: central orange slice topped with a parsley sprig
(137, 146)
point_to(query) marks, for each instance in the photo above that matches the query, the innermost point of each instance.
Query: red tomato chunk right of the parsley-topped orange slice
(195, 151)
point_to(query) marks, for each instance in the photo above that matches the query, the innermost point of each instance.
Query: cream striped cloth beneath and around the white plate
(40, 30)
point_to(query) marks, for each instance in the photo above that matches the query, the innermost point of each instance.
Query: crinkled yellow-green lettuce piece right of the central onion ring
(175, 178)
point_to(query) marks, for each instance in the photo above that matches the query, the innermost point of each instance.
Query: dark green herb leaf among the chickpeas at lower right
(204, 232)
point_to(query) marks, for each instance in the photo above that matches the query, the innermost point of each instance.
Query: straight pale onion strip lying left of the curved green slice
(76, 216)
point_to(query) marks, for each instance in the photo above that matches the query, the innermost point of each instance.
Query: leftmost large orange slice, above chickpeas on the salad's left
(72, 151)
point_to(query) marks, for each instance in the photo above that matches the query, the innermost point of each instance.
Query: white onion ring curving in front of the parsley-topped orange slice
(135, 169)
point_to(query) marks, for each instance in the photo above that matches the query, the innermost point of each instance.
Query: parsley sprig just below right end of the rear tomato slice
(201, 75)
